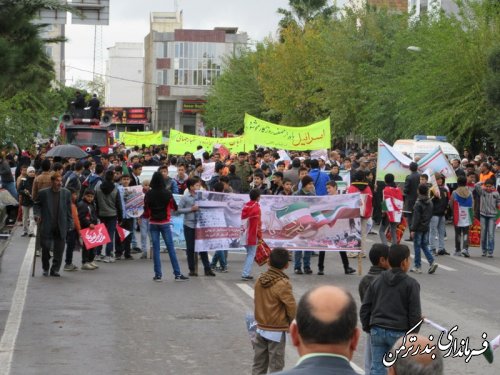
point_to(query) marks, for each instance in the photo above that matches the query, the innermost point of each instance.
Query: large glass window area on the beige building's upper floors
(196, 63)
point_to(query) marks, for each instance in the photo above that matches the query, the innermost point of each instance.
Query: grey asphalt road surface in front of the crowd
(117, 320)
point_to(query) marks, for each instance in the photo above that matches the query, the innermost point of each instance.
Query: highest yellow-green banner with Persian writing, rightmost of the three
(313, 137)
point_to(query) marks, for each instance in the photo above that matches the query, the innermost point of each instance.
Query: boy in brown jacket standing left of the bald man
(275, 309)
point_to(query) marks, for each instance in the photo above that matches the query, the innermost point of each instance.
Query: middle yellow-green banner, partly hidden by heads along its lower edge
(180, 142)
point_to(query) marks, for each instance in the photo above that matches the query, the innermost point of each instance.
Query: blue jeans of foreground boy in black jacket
(382, 340)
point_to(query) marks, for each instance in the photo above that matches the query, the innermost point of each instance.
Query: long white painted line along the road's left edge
(9, 337)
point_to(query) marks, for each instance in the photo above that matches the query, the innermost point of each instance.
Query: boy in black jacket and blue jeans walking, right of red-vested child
(419, 227)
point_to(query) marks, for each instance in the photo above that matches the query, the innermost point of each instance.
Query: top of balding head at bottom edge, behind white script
(419, 364)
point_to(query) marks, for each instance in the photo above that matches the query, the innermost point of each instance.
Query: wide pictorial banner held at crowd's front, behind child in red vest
(330, 223)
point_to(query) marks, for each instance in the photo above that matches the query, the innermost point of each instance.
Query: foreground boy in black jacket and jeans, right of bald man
(391, 307)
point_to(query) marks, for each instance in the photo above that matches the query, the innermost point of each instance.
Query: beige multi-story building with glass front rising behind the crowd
(180, 67)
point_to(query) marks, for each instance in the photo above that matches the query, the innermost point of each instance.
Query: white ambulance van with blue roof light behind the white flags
(421, 145)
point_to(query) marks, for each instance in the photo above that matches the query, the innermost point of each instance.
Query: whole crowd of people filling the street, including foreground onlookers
(59, 197)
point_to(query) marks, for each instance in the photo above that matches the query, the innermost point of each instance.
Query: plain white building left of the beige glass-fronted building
(125, 75)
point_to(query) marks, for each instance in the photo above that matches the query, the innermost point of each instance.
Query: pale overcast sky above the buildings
(129, 22)
